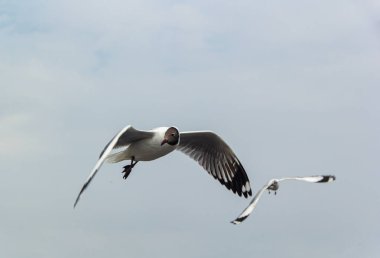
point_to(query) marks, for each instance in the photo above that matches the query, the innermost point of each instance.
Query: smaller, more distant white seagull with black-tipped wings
(273, 185)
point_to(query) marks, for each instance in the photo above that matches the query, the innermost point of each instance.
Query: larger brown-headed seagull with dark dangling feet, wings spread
(205, 147)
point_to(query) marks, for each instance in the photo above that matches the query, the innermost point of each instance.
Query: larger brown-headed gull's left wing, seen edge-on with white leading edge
(123, 138)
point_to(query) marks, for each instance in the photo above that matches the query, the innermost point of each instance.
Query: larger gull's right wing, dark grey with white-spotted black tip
(217, 158)
